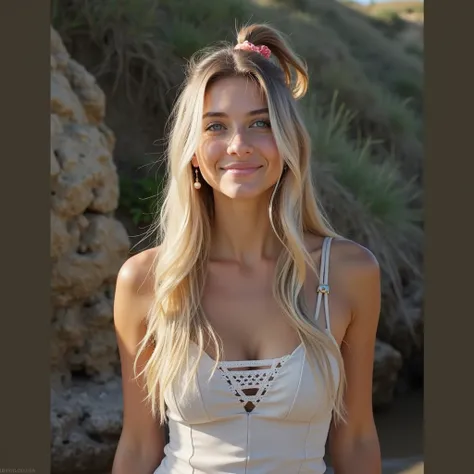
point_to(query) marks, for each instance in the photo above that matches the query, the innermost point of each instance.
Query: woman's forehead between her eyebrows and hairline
(234, 95)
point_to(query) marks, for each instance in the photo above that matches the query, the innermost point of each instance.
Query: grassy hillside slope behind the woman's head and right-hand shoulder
(363, 108)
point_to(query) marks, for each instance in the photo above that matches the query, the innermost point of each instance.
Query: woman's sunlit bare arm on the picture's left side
(141, 444)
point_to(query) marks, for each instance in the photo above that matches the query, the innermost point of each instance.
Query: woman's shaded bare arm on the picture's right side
(354, 445)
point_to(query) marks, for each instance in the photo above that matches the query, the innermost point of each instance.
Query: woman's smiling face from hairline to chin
(237, 154)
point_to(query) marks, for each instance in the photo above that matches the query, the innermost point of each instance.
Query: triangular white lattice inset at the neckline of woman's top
(258, 379)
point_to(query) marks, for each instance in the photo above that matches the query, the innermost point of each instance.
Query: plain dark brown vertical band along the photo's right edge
(448, 243)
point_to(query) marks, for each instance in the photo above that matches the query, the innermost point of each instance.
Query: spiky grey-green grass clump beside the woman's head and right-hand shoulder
(368, 201)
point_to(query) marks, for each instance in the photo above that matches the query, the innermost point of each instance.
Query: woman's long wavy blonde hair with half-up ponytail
(184, 225)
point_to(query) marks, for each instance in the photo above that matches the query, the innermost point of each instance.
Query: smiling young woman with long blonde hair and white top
(250, 329)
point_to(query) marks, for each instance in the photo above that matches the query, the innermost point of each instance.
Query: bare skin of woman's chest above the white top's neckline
(242, 309)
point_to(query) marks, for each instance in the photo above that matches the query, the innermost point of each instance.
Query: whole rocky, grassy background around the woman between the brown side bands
(116, 66)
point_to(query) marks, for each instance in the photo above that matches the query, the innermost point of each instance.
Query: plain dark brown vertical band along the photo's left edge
(25, 320)
